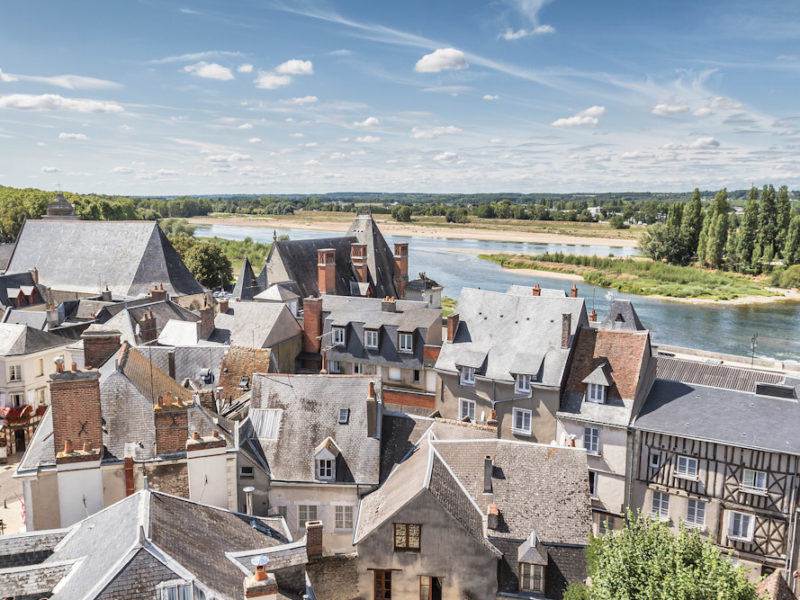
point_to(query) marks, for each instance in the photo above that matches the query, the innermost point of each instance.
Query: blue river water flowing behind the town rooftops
(719, 328)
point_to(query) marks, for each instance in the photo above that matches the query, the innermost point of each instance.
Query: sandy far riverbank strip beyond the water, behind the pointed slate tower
(492, 230)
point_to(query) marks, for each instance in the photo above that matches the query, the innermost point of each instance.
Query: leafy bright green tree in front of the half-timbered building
(647, 561)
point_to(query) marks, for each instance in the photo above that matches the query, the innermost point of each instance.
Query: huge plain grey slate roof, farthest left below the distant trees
(85, 256)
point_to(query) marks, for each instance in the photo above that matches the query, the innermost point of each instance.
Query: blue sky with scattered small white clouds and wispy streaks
(162, 97)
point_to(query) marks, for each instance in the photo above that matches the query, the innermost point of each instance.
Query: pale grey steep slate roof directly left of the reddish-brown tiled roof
(495, 327)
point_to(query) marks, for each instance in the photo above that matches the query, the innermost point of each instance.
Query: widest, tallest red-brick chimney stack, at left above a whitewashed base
(77, 414)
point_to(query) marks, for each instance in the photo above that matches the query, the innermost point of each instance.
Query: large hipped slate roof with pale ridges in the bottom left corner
(176, 534)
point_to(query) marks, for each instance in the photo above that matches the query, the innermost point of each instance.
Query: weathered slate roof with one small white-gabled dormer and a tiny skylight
(309, 406)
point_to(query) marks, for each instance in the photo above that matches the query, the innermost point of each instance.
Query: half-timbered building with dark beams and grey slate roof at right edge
(716, 447)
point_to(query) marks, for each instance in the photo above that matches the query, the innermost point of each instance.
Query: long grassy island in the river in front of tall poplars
(641, 277)
